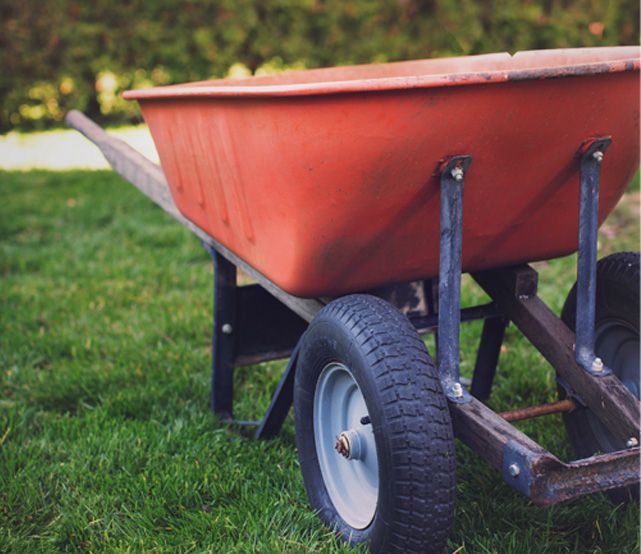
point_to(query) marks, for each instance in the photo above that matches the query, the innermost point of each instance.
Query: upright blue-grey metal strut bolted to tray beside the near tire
(449, 290)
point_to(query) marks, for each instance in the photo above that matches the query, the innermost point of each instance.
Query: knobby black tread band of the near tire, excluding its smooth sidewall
(417, 414)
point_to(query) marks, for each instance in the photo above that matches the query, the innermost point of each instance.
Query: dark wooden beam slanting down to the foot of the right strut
(606, 396)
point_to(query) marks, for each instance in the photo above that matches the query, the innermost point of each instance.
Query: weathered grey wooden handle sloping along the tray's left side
(149, 179)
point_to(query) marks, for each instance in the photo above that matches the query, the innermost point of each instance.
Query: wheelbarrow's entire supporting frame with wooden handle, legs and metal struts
(244, 317)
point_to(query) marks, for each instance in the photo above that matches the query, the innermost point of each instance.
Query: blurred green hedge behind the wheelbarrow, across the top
(62, 54)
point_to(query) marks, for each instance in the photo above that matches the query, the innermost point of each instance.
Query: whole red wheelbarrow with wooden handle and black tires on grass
(340, 191)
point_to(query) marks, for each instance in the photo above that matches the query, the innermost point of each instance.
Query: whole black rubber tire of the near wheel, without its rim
(410, 418)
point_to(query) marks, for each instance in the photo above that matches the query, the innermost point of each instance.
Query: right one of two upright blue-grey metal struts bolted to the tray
(591, 154)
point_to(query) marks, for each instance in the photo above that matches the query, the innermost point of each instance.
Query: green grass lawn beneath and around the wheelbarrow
(106, 440)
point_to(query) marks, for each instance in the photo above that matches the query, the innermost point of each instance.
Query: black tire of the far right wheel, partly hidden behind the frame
(617, 299)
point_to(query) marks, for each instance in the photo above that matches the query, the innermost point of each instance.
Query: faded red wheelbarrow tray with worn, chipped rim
(326, 180)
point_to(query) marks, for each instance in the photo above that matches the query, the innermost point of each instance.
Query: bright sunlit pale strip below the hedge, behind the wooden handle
(66, 149)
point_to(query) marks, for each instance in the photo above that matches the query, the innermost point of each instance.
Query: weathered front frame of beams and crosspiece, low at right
(531, 469)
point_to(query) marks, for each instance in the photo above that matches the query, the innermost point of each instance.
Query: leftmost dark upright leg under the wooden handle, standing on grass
(223, 341)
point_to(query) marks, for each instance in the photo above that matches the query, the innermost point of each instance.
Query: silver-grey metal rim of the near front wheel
(352, 483)
